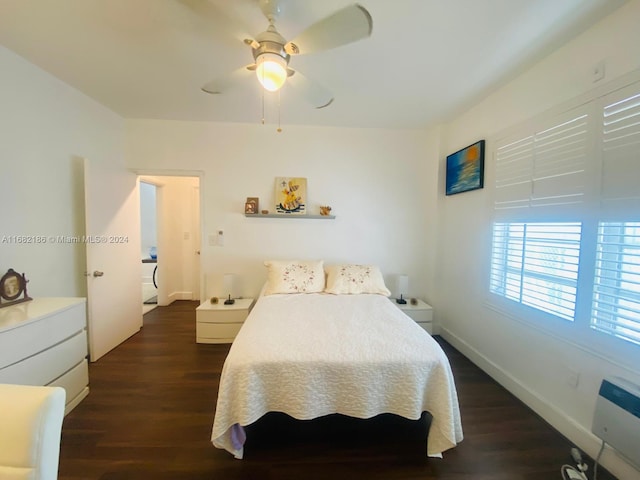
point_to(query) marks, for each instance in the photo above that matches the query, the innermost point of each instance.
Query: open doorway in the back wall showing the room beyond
(170, 226)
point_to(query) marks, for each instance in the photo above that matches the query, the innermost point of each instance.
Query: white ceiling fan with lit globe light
(272, 52)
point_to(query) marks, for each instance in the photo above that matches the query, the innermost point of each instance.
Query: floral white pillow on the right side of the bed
(354, 279)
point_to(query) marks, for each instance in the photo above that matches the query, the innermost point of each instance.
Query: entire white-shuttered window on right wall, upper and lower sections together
(566, 209)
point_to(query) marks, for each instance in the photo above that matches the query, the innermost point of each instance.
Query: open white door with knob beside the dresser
(113, 256)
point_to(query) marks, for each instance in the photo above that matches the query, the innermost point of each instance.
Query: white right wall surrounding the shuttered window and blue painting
(532, 363)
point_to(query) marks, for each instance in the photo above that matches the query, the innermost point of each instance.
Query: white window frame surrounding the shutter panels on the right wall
(594, 209)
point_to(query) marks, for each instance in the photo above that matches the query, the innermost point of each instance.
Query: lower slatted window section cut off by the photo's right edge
(616, 291)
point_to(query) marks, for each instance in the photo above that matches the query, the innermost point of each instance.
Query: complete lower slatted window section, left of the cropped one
(536, 264)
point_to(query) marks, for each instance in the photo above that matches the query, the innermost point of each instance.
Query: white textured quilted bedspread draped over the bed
(310, 355)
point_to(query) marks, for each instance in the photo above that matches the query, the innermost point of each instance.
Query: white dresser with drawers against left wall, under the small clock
(44, 342)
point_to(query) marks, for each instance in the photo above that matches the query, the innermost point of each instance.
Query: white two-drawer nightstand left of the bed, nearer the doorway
(220, 323)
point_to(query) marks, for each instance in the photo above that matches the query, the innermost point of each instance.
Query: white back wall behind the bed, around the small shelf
(381, 185)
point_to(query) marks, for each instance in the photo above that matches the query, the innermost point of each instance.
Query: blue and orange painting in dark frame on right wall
(465, 169)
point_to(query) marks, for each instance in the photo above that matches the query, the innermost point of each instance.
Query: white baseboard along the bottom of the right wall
(576, 433)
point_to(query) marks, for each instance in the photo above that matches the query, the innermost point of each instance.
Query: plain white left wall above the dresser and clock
(47, 126)
